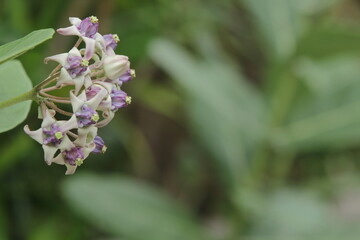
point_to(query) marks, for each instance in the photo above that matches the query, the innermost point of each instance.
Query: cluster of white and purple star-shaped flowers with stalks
(93, 77)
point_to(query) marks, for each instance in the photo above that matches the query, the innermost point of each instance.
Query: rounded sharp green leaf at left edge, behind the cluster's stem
(13, 82)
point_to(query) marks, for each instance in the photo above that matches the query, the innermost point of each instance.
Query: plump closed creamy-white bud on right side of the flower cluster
(115, 66)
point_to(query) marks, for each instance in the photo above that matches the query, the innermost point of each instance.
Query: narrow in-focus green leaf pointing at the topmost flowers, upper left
(18, 47)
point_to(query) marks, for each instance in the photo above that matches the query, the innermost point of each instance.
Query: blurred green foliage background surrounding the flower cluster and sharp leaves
(245, 124)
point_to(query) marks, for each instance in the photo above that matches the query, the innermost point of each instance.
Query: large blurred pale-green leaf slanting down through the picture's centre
(225, 112)
